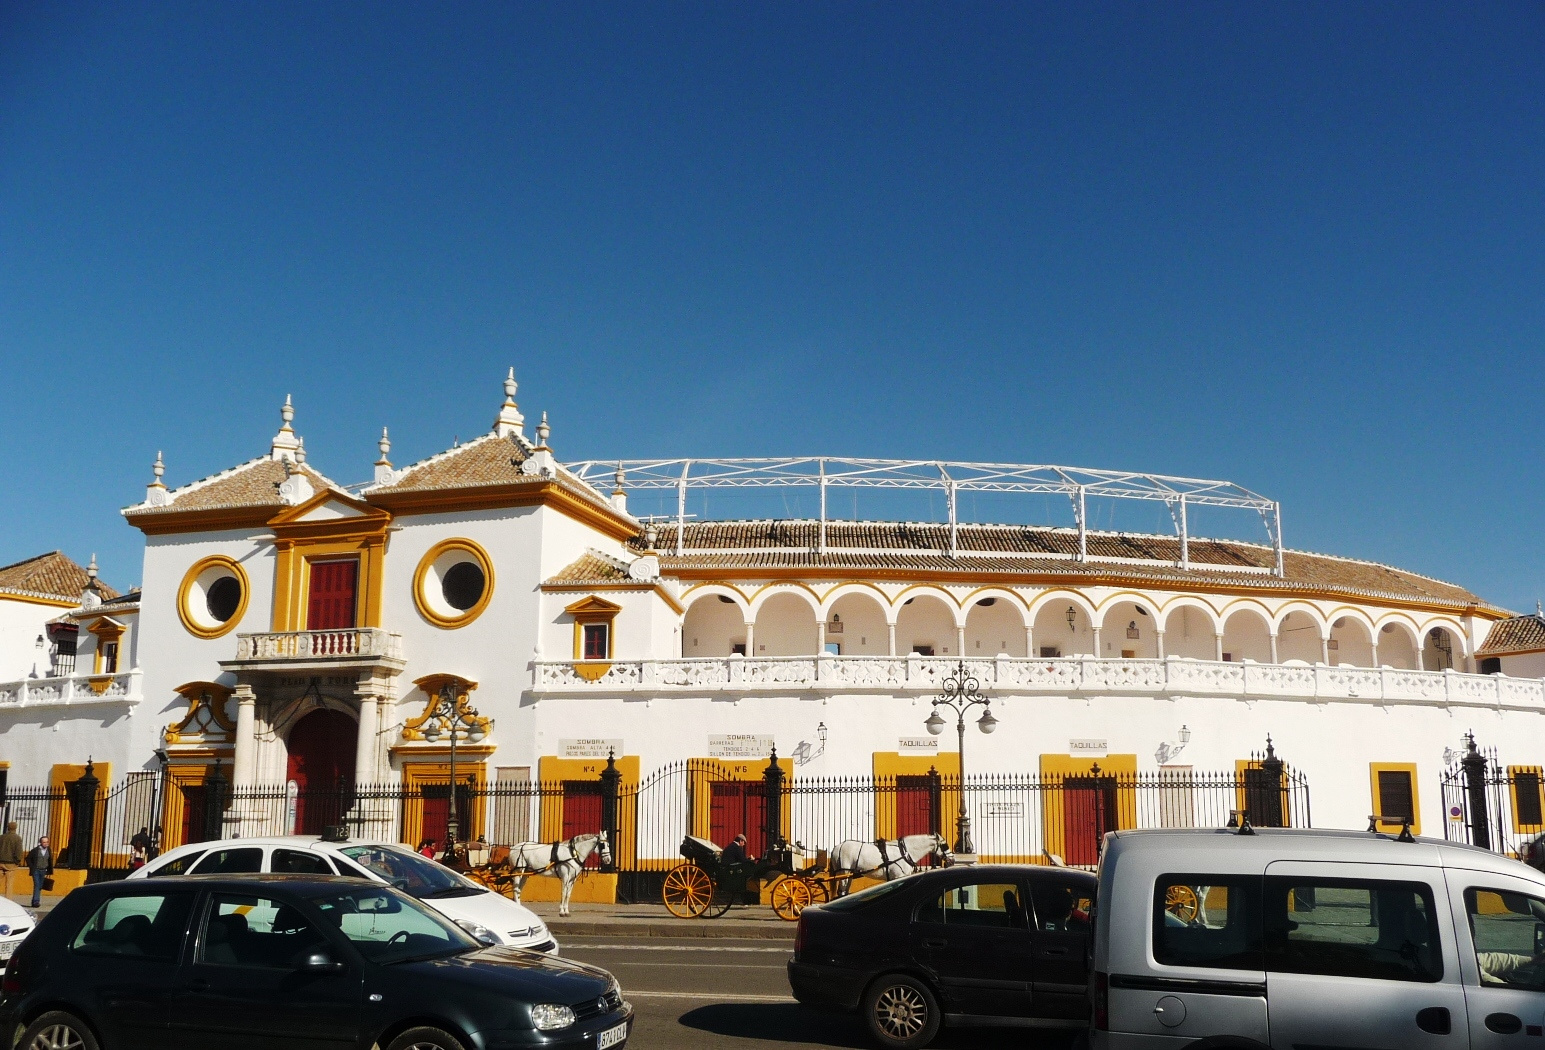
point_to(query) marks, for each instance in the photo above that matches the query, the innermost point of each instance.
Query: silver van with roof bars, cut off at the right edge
(1316, 940)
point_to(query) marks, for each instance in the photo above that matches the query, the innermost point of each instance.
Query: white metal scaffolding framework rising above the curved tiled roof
(826, 473)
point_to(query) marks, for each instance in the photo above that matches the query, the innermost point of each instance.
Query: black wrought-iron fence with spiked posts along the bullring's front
(1016, 818)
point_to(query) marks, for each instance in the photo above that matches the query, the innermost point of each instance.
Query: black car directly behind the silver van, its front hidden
(983, 944)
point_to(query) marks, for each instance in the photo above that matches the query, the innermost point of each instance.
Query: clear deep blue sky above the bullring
(1294, 246)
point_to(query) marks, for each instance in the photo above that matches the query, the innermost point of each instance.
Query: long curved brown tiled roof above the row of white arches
(1033, 552)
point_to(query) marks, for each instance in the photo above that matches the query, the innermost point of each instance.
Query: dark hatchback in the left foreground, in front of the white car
(288, 961)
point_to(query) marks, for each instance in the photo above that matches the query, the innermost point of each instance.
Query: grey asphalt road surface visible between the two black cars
(732, 995)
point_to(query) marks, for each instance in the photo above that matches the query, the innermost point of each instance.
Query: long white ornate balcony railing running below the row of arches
(1053, 677)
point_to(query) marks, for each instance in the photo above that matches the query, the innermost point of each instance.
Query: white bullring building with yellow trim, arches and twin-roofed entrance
(294, 632)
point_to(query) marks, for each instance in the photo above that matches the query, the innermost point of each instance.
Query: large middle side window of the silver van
(1353, 929)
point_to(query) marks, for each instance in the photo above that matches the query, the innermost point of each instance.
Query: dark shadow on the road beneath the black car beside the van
(792, 1023)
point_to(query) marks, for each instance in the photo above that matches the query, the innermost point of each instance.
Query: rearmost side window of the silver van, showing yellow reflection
(1209, 921)
